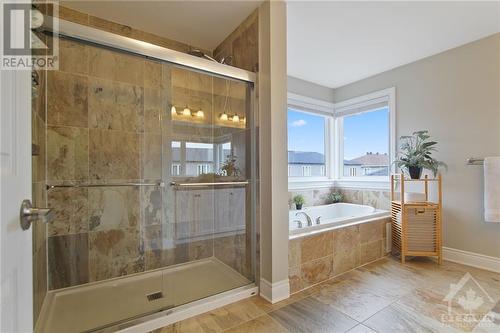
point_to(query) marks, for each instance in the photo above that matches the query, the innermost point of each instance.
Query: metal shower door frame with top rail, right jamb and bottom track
(116, 42)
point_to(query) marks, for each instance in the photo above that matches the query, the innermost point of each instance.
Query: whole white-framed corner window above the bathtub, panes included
(350, 143)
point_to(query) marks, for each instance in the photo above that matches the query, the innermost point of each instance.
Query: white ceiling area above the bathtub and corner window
(336, 43)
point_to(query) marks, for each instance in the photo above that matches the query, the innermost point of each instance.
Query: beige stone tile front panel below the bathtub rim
(316, 258)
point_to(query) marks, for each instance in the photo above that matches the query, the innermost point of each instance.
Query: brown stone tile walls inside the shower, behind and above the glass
(102, 124)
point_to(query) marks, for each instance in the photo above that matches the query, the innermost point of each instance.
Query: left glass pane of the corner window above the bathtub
(306, 144)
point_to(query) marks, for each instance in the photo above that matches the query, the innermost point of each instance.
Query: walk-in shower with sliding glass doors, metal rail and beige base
(150, 170)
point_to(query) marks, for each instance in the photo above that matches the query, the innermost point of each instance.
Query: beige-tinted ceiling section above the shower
(203, 23)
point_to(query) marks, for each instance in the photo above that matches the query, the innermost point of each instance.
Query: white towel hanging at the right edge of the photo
(492, 189)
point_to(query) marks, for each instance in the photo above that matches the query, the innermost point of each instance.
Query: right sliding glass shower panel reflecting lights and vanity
(209, 143)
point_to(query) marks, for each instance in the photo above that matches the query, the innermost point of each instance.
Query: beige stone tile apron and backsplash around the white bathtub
(335, 252)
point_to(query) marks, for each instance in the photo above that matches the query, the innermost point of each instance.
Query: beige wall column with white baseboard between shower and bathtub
(273, 157)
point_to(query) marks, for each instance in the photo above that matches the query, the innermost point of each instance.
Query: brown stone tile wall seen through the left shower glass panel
(103, 126)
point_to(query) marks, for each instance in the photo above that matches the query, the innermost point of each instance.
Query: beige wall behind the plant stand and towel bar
(455, 95)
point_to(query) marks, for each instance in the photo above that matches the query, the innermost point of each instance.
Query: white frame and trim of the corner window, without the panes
(334, 139)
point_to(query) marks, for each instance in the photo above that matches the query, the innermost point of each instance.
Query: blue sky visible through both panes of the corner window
(362, 133)
